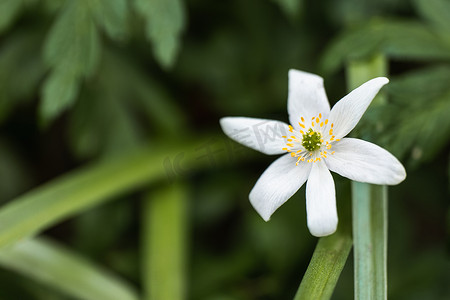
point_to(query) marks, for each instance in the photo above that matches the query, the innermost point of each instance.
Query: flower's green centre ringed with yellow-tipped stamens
(310, 145)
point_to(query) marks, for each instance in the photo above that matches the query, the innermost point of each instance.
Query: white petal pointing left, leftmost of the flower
(259, 134)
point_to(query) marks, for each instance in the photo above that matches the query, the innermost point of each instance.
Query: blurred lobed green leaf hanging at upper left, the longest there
(72, 50)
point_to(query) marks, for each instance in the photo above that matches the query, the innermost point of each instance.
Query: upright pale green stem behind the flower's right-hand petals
(369, 206)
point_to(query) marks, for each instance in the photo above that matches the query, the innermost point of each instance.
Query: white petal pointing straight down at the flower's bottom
(321, 201)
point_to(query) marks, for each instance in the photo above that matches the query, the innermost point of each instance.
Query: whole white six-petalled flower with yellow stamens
(314, 144)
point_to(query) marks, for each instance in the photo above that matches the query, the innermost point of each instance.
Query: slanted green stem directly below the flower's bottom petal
(325, 267)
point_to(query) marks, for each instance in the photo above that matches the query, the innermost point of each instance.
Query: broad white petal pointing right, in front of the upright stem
(365, 162)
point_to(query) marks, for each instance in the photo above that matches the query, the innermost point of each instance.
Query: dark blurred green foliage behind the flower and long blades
(87, 81)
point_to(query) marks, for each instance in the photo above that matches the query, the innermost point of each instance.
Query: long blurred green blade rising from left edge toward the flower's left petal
(91, 185)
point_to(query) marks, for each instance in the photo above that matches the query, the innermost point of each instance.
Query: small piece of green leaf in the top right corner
(435, 11)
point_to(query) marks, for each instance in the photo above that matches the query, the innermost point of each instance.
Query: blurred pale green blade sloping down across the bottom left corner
(49, 263)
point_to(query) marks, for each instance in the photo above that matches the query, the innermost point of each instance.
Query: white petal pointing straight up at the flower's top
(306, 97)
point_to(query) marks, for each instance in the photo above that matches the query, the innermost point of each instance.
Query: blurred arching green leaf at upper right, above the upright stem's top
(404, 40)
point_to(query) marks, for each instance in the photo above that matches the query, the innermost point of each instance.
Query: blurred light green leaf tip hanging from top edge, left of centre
(164, 23)
